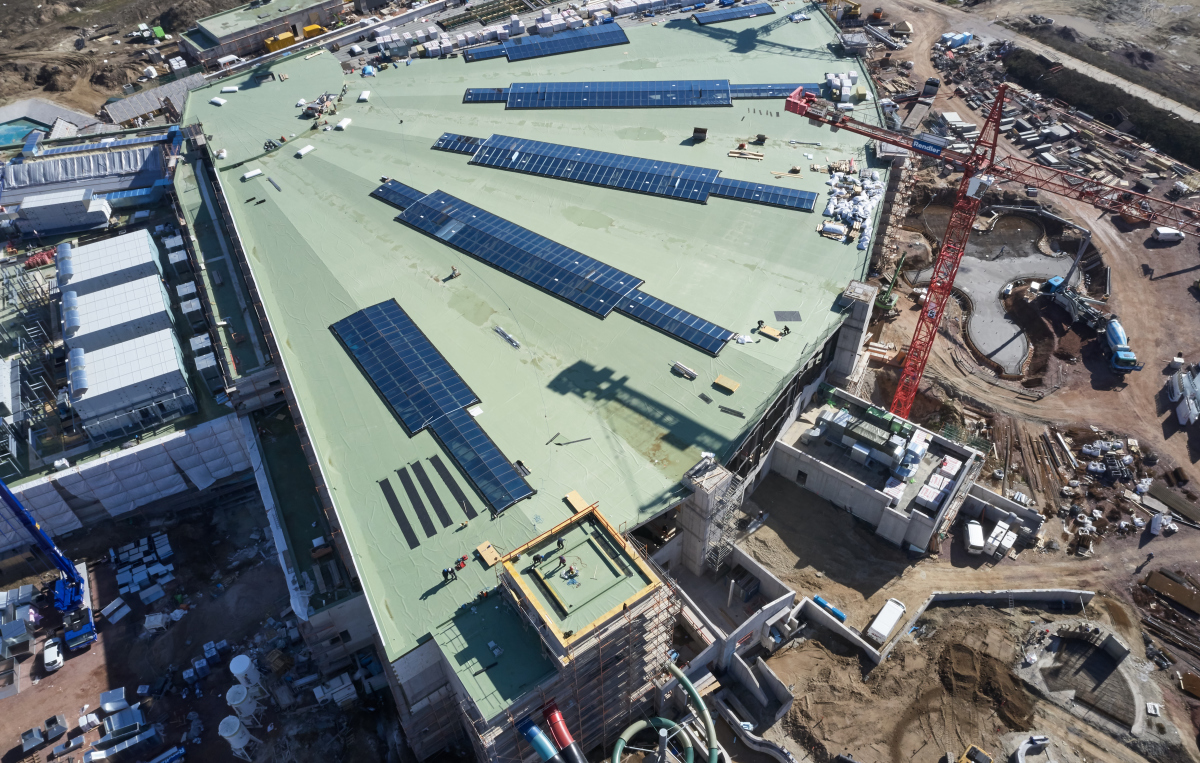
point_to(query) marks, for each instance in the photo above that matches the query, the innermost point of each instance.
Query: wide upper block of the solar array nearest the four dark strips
(404, 365)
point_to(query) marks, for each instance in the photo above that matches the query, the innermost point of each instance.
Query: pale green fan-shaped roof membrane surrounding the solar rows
(587, 405)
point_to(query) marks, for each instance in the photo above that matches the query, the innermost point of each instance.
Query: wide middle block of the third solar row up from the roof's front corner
(597, 169)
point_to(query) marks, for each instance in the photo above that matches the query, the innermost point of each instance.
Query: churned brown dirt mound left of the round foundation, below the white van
(941, 693)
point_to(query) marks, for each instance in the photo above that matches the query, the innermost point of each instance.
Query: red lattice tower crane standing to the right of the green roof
(981, 170)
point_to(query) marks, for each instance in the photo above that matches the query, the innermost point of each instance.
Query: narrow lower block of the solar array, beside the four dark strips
(496, 479)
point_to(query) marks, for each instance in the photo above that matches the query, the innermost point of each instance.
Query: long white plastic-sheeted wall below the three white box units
(134, 478)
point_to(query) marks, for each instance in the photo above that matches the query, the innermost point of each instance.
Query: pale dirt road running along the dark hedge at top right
(986, 26)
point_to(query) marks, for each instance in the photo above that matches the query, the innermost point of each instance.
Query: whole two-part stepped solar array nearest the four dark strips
(424, 390)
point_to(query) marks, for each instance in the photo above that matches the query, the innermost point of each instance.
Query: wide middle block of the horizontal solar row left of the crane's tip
(603, 95)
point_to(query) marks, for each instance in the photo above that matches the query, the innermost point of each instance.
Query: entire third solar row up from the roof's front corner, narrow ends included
(616, 171)
